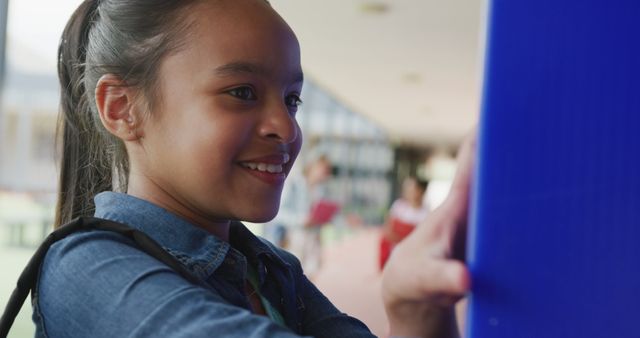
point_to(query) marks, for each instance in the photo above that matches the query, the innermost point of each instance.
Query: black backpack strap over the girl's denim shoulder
(28, 279)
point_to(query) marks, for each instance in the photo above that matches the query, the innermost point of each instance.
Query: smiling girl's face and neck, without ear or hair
(223, 135)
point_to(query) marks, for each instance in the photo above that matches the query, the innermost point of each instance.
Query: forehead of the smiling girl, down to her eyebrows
(233, 38)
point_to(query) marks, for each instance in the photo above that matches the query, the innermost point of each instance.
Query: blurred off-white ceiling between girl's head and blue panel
(414, 69)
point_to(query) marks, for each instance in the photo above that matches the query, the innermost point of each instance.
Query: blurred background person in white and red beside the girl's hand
(404, 215)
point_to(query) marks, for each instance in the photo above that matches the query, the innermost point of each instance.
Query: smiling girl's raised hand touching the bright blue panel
(425, 275)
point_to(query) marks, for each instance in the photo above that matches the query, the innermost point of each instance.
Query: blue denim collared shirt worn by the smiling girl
(99, 284)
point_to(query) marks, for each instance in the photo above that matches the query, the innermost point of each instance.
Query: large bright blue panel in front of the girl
(554, 240)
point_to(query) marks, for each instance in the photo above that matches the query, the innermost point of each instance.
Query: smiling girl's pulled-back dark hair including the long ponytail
(127, 38)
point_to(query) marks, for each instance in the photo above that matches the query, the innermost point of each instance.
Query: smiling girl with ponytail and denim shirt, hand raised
(178, 119)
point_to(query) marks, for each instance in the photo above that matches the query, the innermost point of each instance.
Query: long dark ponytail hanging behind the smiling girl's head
(84, 170)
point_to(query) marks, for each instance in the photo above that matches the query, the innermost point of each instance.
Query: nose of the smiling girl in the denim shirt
(279, 124)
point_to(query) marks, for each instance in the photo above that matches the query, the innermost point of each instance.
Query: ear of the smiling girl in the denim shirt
(116, 103)
